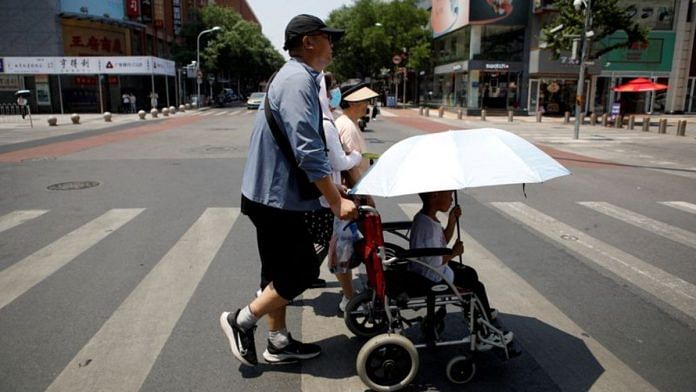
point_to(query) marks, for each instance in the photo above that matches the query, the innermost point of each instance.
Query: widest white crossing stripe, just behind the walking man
(123, 351)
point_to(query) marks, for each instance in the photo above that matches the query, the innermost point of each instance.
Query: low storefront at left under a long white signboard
(88, 84)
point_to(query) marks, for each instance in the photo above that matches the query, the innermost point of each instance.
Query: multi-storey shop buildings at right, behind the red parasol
(489, 55)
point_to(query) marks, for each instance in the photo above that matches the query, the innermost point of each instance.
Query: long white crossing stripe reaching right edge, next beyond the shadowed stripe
(664, 286)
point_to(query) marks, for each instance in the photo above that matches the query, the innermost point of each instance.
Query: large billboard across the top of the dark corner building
(449, 15)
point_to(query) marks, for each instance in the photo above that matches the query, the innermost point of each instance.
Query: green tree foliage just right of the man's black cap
(375, 31)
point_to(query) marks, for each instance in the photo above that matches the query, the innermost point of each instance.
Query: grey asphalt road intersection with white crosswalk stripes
(119, 286)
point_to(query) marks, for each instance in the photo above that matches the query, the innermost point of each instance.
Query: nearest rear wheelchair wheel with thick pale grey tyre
(387, 362)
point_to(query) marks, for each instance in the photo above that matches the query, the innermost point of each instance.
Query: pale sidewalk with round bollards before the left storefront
(15, 130)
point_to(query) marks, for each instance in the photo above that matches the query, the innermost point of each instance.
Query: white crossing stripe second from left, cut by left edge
(18, 278)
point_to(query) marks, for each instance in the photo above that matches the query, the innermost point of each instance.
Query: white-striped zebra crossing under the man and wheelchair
(152, 309)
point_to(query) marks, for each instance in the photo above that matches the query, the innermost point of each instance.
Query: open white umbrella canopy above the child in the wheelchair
(457, 160)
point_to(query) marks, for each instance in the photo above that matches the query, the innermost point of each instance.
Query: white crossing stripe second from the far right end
(670, 232)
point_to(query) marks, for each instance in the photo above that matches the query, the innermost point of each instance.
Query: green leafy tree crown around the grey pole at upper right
(608, 17)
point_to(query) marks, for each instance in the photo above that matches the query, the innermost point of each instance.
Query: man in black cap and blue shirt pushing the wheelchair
(286, 171)
